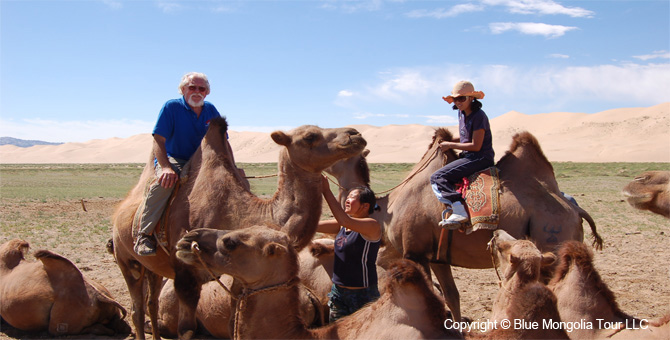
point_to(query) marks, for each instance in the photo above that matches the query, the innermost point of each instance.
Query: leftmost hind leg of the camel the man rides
(133, 273)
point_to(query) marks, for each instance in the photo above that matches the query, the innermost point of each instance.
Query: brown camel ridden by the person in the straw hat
(532, 205)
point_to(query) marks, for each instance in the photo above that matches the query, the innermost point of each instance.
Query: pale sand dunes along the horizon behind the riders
(619, 135)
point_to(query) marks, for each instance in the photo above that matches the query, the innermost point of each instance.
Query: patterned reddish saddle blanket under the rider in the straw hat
(481, 192)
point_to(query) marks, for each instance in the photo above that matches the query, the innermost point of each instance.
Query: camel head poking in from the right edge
(650, 191)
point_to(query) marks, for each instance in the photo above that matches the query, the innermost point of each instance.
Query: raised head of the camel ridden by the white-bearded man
(314, 149)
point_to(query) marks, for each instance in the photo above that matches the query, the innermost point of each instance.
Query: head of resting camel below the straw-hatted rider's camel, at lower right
(518, 257)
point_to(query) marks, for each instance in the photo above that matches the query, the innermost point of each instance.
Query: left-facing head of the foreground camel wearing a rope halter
(258, 256)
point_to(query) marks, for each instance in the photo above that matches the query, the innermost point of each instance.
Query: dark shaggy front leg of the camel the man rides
(188, 288)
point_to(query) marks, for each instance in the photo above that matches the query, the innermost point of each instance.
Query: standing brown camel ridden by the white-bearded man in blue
(214, 195)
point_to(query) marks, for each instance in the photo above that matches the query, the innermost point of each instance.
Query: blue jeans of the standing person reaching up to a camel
(345, 301)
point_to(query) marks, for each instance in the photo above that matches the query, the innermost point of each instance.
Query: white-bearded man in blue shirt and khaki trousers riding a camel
(181, 125)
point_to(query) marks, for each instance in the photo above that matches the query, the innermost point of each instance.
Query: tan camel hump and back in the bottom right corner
(585, 299)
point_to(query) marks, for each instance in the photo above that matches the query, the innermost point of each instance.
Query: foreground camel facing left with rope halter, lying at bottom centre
(267, 265)
